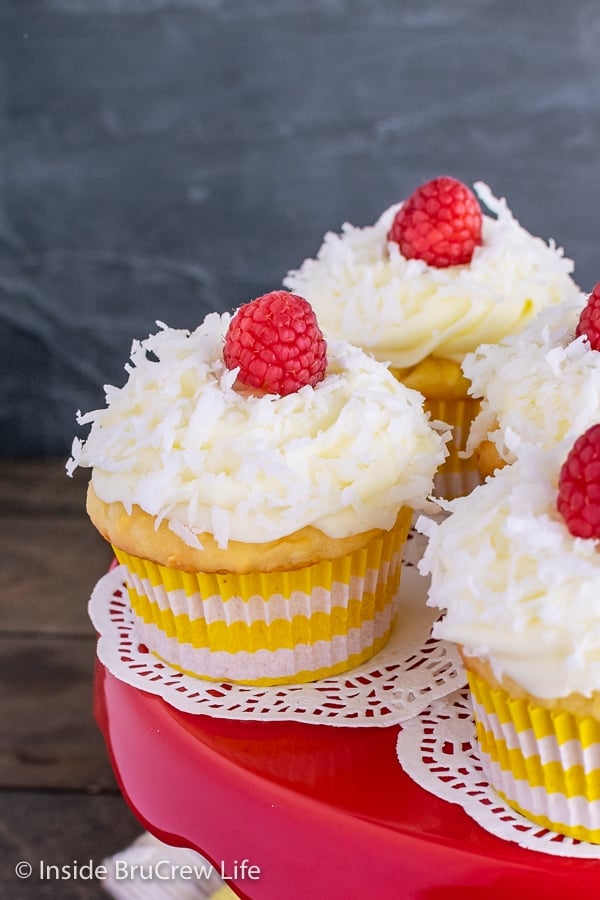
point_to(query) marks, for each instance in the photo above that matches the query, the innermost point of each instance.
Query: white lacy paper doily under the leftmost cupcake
(404, 678)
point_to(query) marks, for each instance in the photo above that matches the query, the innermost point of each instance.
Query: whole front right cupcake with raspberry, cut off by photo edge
(522, 601)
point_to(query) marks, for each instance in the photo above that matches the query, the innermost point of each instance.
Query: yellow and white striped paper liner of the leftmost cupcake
(270, 628)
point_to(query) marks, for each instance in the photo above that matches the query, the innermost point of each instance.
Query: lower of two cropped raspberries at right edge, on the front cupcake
(578, 499)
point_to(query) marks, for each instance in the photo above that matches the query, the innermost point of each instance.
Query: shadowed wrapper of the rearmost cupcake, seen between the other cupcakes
(456, 477)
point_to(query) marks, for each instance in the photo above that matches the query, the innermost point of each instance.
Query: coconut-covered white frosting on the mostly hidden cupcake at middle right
(541, 386)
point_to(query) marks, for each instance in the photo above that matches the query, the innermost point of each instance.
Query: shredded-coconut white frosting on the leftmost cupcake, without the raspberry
(181, 443)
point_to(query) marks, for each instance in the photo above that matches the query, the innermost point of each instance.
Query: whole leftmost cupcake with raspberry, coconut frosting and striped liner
(257, 485)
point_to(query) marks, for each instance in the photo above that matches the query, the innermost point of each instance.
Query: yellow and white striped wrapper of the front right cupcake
(544, 763)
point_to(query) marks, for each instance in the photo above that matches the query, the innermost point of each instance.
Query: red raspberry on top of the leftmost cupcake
(277, 343)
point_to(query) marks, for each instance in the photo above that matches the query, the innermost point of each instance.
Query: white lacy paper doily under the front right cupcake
(438, 750)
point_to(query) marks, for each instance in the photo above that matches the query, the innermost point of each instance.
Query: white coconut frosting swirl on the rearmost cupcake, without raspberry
(363, 290)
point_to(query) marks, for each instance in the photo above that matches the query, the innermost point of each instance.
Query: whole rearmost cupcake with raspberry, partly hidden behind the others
(432, 279)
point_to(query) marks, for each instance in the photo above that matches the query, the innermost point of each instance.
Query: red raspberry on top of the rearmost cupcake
(440, 223)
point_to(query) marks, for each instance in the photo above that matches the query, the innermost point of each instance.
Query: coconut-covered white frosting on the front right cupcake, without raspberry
(518, 589)
